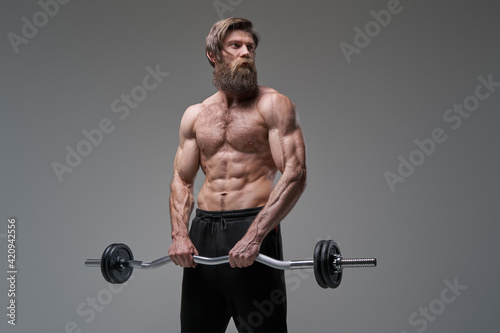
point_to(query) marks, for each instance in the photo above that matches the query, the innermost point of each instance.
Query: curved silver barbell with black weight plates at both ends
(117, 263)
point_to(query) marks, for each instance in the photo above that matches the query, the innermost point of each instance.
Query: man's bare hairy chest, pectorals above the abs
(242, 130)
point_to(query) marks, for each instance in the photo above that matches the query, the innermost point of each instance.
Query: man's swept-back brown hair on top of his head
(219, 31)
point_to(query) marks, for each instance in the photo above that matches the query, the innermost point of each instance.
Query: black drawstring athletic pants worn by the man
(254, 296)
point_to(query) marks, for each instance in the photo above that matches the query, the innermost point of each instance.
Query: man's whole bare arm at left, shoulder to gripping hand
(186, 164)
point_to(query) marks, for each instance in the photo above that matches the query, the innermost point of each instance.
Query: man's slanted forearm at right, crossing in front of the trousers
(282, 199)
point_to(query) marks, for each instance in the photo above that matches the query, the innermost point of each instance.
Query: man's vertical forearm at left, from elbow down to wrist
(181, 205)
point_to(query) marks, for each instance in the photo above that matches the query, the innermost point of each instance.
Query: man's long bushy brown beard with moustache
(236, 79)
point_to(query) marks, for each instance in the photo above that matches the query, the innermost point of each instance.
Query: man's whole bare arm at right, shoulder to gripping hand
(288, 150)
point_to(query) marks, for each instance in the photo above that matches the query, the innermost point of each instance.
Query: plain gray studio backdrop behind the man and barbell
(357, 118)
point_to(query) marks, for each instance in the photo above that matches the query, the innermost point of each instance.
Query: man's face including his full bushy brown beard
(236, 74)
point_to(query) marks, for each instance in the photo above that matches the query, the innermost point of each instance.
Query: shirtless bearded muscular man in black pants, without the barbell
(240, 136)
